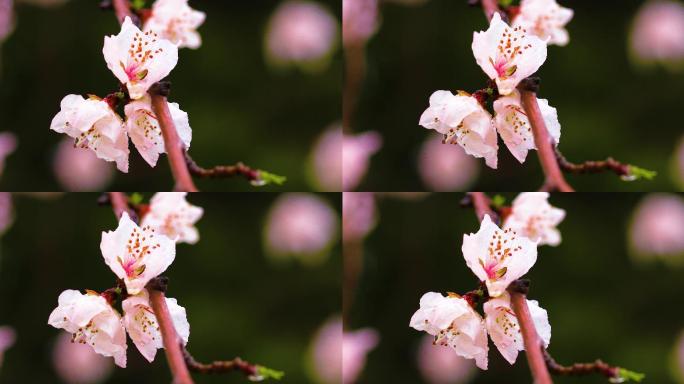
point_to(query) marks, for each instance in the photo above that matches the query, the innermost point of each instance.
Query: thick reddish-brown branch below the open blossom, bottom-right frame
(533, 344)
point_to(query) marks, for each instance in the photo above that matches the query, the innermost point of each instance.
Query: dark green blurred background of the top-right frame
(606, 105)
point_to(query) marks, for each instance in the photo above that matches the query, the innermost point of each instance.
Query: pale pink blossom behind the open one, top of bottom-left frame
(171, 215)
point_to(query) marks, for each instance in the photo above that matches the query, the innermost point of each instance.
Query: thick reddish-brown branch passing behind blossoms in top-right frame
(554, 177)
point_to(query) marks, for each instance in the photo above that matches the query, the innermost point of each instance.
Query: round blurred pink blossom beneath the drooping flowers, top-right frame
(444, 167)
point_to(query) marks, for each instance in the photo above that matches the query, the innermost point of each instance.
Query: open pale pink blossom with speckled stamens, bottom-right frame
(498, 256)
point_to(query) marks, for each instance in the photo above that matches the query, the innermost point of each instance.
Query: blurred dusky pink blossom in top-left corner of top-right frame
(360, 20)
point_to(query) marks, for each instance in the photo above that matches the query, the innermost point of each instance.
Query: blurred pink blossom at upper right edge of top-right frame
(658, 32)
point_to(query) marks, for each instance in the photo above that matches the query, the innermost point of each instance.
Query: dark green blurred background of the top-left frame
(240, 109)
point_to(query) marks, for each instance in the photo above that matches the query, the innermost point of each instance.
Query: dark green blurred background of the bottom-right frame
(600, 304)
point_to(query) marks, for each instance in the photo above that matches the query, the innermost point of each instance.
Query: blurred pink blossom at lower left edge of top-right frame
(356, 153)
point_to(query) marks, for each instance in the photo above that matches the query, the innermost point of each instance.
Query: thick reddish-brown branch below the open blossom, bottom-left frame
(172, 342)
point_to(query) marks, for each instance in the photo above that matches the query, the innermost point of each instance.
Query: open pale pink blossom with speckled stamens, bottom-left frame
(136, 254)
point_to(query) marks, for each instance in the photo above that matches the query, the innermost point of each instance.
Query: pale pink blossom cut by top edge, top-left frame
(175, 21)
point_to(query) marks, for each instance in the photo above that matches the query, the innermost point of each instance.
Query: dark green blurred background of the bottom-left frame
(233, 295)
